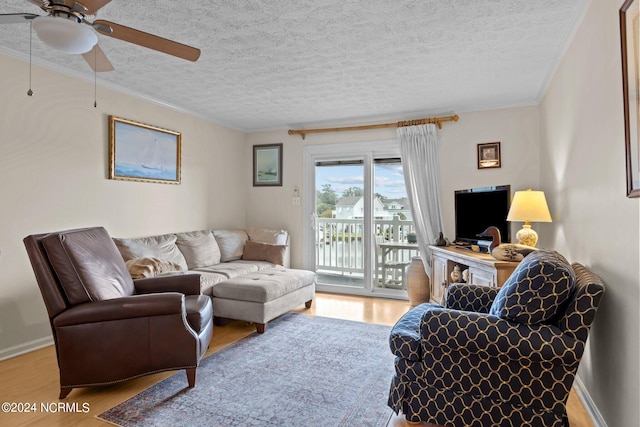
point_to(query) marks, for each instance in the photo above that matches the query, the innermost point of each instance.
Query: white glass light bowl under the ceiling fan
(65, 35)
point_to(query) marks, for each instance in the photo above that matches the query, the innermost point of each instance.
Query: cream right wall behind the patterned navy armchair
(583, 173)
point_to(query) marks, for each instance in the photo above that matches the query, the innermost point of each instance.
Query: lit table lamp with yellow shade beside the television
(528, 206)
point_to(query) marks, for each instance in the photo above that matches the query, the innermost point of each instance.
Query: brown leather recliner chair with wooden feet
(107, 327)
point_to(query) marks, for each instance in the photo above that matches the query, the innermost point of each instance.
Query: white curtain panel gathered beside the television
(420, 152)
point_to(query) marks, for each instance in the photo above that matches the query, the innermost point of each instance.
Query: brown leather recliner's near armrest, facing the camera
(135, 306)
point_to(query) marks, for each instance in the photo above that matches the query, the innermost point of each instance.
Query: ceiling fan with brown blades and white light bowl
(66, 29)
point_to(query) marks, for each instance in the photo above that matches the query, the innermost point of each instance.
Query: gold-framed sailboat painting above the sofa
(139, 152)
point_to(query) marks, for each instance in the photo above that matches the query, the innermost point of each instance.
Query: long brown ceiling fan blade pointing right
(149, 40)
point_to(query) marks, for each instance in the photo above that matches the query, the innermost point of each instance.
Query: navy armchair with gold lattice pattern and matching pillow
(497, 357)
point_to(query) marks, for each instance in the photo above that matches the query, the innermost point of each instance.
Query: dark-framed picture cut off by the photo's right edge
(630, 44)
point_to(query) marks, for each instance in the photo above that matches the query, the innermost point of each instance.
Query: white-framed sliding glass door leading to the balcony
(359, 218)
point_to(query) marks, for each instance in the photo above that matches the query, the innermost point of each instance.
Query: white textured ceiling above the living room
(284, 63)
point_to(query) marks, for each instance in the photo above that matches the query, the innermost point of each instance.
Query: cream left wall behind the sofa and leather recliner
(54, 168)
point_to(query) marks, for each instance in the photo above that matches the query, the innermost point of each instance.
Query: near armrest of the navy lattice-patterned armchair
(490, 336)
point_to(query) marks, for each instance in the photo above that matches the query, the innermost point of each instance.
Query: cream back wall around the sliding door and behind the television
(517, 129)
